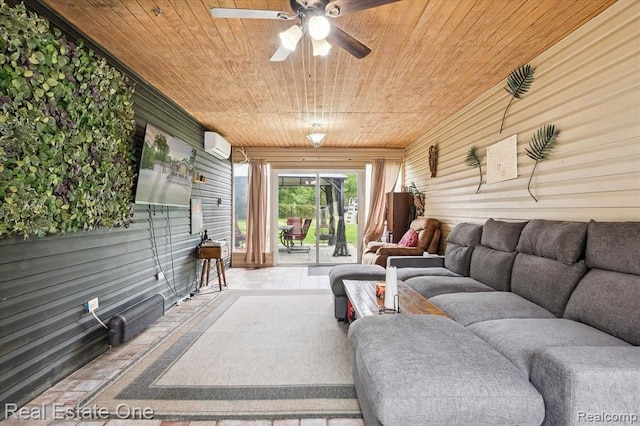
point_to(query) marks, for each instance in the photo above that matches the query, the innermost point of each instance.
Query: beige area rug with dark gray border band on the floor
(250, 355)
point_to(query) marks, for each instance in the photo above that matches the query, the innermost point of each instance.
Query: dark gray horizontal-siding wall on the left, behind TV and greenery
(45, 333)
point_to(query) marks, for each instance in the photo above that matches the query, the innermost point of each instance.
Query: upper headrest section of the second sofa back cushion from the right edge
(561, 241)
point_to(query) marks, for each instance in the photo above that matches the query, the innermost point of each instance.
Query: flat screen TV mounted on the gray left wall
(166, 170)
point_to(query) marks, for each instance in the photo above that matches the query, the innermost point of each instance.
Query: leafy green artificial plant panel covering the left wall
(66, 121)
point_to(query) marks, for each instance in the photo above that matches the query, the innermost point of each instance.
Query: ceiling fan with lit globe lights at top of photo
(312, 16)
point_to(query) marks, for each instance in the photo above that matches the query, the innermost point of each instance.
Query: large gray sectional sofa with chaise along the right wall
(543, 328)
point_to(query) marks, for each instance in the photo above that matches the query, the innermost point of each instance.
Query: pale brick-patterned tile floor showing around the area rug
(86, 381)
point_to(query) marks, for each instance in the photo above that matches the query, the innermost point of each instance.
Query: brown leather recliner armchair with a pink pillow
(428, 231)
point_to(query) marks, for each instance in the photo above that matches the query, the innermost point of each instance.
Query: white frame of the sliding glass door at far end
(317, 175)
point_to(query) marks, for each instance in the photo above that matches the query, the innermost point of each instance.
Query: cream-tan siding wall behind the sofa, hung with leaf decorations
(588, 85)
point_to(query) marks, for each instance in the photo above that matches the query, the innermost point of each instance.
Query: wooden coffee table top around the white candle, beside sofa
(362, 295)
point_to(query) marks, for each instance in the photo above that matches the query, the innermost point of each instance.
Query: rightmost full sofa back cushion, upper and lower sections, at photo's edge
(607, 297)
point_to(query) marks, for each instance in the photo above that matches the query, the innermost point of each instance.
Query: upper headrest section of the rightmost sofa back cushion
(613, 246)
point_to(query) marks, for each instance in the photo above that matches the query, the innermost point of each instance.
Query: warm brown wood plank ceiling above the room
(429, 59)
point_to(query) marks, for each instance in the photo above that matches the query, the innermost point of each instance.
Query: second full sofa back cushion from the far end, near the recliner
(492, 260)
